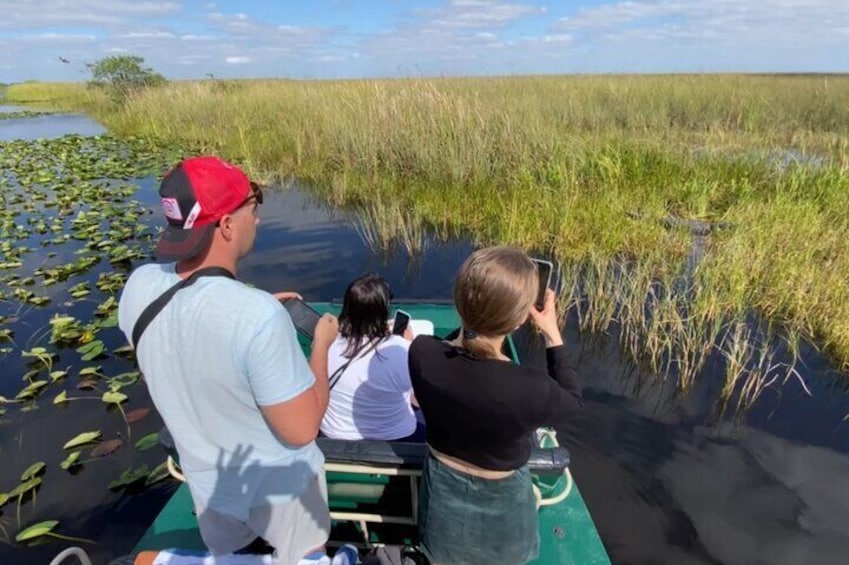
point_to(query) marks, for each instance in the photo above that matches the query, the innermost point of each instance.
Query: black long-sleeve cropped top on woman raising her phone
(483, 411)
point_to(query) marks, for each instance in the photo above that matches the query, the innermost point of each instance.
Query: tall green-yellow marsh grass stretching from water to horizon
(588, 167)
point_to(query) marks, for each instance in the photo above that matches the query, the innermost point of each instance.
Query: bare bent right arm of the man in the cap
(296, 421)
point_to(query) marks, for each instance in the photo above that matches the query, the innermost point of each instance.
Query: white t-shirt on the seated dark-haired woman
(371, 400)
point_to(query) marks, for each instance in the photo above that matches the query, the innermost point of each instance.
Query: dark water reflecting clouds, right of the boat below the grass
(666, 484)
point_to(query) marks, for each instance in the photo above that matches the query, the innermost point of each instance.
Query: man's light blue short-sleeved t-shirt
(216, 352)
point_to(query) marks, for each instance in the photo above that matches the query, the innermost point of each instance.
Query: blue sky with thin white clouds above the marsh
(386, 38)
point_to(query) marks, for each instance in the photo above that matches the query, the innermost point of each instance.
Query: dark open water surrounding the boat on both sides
(662, 481)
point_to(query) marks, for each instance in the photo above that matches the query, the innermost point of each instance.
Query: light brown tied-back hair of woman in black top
(493, 293)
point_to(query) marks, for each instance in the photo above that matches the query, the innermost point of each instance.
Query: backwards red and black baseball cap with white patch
(196, 194)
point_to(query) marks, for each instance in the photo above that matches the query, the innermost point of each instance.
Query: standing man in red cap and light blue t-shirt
(225, 371)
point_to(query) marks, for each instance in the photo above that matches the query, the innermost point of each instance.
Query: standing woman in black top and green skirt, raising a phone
(477, 503)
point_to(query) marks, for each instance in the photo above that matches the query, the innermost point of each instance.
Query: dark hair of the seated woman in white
(365, 310)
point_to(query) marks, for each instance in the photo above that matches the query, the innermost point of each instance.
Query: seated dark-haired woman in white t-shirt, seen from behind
(371, 393)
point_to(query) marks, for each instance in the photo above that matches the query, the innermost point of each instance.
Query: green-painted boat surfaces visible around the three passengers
(567, 533)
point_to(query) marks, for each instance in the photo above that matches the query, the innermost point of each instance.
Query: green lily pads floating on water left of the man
(71, 229)
